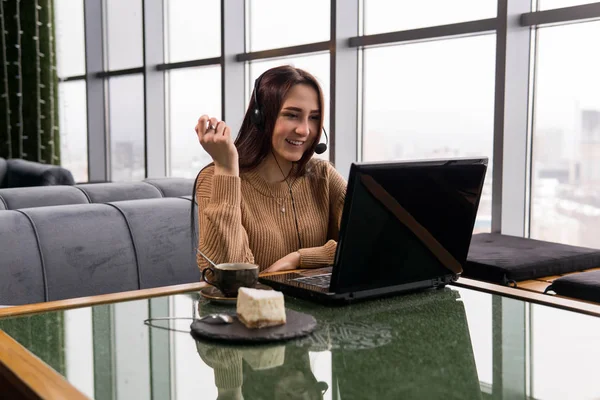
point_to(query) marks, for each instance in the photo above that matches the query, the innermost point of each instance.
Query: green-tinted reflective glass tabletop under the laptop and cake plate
(454, 343)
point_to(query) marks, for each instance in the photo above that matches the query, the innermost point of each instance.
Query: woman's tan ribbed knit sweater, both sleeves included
(246, 219)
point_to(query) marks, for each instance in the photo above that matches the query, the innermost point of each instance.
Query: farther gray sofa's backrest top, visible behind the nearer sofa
(42, 196)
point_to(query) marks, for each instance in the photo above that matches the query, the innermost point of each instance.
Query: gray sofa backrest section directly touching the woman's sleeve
(162, 238)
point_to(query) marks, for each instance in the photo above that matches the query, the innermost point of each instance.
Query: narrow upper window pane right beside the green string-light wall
(70, 37)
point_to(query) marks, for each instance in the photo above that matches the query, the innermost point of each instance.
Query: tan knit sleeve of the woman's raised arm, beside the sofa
(222, 236)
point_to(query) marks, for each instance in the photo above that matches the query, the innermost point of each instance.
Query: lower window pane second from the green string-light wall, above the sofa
(126, 122)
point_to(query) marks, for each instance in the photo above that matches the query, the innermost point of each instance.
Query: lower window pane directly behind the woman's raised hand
(192, 92)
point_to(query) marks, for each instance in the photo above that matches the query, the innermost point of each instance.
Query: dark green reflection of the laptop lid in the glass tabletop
(432, 360)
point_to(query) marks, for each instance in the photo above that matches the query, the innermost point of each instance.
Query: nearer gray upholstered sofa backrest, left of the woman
(66, 251)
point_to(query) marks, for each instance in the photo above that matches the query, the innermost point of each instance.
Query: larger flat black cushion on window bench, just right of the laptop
(503, 259)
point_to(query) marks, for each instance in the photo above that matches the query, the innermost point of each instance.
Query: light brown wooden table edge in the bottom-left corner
(31, 376)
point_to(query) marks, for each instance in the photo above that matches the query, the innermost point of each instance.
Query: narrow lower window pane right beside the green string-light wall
(73, 128)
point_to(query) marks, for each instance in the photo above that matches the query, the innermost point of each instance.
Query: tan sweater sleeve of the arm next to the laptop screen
(321, 256)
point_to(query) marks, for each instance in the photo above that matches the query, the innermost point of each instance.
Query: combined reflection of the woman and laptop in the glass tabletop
(384, 349)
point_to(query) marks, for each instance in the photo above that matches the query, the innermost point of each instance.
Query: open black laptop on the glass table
(405, 226)
